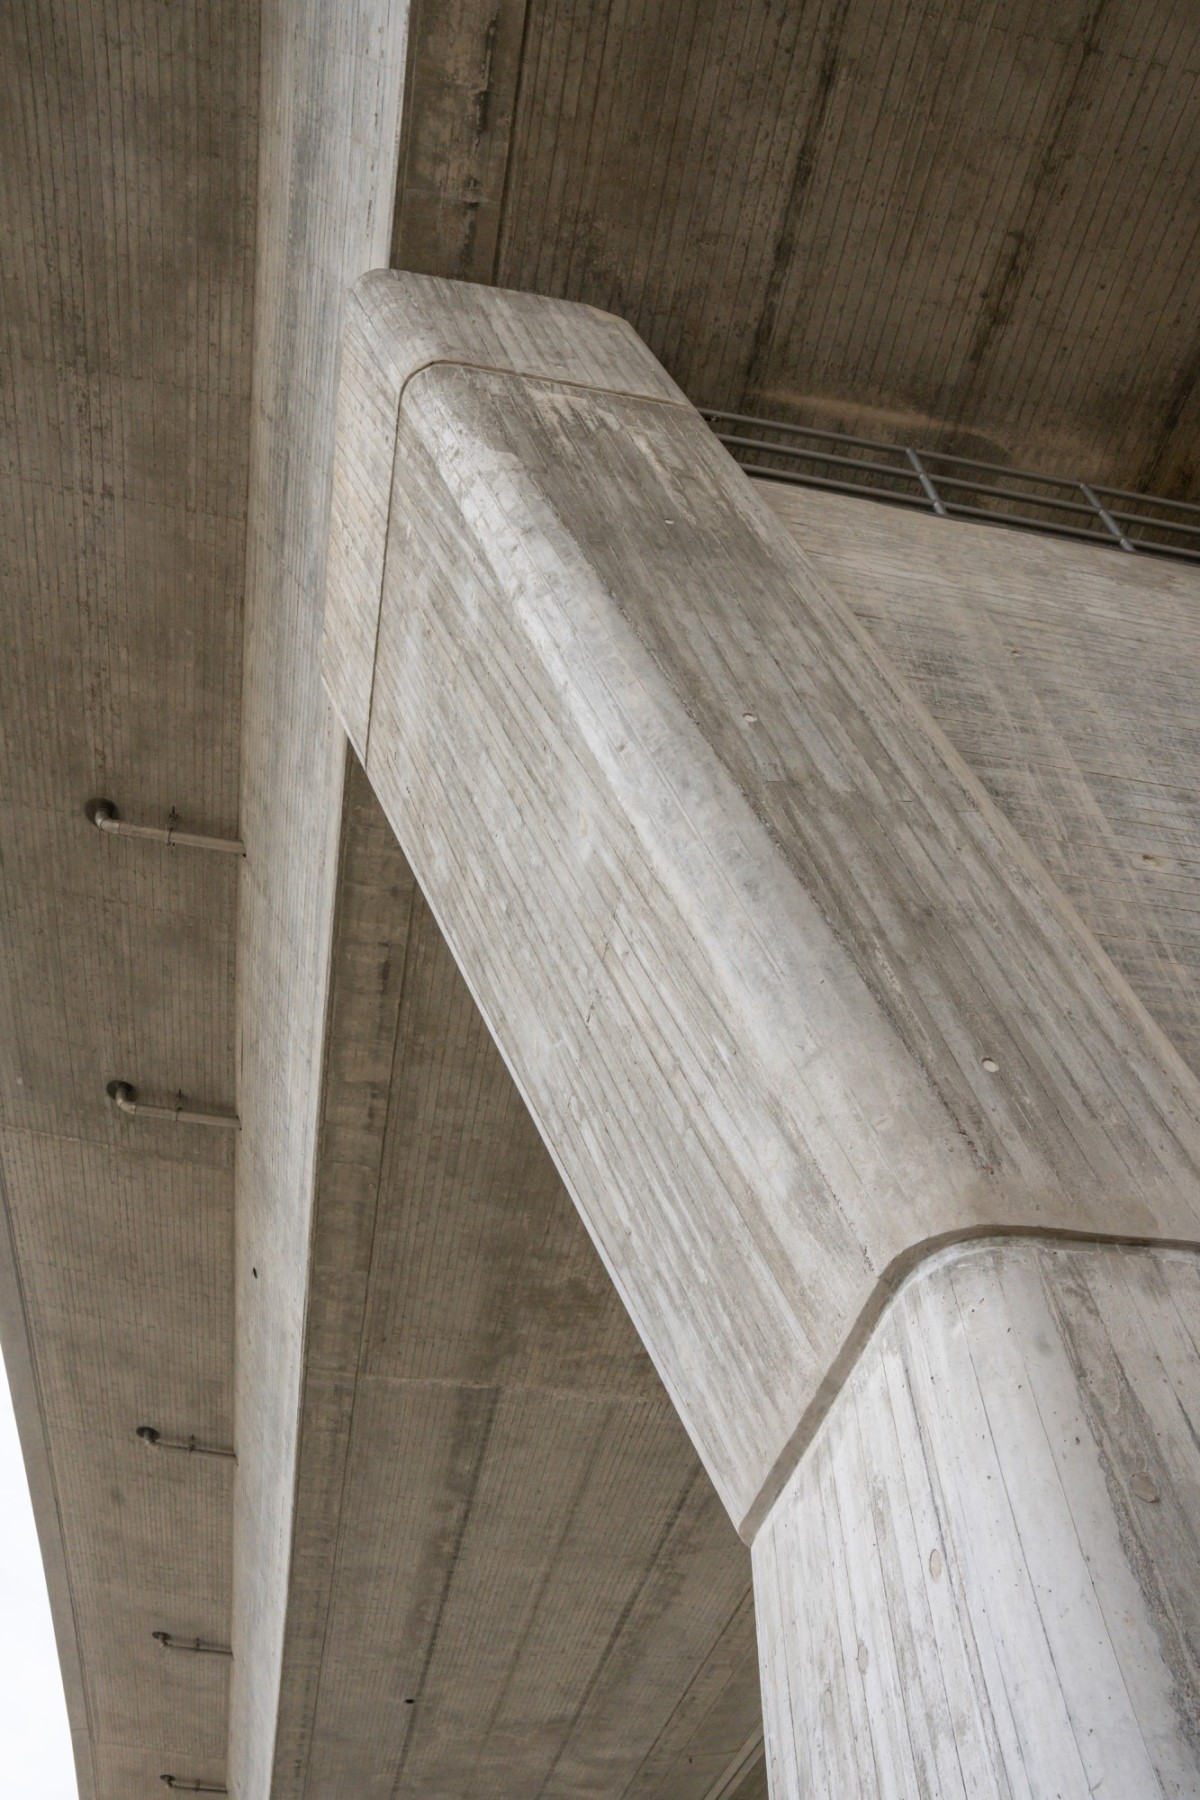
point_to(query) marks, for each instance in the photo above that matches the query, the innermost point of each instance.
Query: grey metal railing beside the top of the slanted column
(956, 487)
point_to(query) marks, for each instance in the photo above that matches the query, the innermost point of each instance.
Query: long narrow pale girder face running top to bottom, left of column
(332, 84)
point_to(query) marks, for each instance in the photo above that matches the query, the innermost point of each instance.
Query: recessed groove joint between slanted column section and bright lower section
(904, 1272)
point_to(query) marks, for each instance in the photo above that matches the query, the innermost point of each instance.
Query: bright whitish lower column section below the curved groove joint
(981, 1581)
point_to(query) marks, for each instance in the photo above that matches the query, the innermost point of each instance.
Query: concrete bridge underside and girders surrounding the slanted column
(467, 1545)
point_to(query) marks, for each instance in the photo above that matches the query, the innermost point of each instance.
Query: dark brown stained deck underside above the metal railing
(963, 228)
